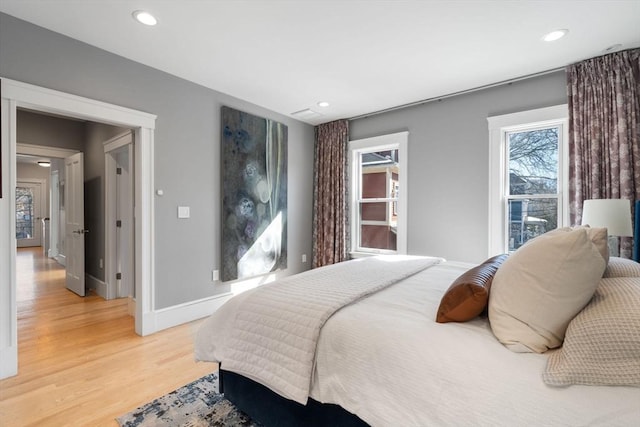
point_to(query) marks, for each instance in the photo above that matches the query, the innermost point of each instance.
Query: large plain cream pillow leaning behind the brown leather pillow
(541, 287)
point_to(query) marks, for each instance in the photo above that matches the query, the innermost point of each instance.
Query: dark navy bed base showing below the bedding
(272, 410)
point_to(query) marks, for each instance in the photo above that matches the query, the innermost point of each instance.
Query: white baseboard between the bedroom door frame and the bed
(183, 313)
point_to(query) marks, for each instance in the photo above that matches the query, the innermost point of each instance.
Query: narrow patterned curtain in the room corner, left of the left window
(330, 194)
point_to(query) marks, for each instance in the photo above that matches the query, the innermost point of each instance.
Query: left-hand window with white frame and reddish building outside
(378, 194)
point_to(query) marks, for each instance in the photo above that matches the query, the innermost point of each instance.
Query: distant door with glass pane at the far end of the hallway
(29, 206)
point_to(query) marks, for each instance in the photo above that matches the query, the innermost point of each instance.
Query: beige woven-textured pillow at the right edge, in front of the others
(602, 344)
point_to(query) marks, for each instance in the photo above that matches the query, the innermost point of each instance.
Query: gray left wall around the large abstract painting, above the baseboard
(187, 149)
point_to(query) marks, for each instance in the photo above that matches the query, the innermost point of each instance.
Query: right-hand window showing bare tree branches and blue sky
(527, 176)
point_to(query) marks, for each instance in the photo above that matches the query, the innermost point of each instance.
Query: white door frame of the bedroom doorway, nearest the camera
(16, 95)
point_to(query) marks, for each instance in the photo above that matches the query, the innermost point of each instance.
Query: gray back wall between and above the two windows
(449, 161)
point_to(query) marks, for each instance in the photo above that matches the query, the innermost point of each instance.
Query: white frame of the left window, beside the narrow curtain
(392, 141)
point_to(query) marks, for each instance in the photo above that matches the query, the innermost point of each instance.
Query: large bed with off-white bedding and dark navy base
(381, 359)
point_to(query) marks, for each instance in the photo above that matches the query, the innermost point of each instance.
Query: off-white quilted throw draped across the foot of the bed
(275, 331)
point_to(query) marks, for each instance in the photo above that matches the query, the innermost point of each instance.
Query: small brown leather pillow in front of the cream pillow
(468, 295)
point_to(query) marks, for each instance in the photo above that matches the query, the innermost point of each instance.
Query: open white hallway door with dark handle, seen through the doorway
(74, 222)
